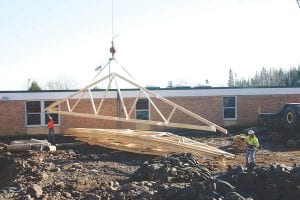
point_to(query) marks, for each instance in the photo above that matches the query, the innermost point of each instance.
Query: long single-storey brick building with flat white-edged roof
(22, 112)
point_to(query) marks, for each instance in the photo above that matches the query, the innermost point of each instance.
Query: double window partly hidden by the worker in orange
(35, 115)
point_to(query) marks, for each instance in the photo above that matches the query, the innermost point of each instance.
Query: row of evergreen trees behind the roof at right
(267, 78)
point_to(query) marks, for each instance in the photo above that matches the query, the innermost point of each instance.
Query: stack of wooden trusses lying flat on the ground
(145, 142)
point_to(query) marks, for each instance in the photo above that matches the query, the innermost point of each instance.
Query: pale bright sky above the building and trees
(157, 41)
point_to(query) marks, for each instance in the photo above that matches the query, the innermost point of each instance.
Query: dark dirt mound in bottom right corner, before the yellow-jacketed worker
(272, 182)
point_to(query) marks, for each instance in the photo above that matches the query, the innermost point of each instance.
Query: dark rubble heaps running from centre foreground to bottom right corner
(169, 177)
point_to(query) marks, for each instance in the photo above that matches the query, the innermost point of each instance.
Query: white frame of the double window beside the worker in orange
(41, 113)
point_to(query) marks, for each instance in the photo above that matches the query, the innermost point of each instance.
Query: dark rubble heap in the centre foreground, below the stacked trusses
(180, 176)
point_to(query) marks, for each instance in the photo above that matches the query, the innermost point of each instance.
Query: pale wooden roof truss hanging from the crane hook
(166, 119)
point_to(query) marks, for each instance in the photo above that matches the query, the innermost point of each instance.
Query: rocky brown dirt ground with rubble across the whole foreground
(91, 172)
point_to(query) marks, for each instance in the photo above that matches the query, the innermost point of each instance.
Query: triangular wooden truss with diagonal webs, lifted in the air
(209, 126)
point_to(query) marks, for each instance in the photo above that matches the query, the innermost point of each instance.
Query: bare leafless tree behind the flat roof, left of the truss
(62, 83)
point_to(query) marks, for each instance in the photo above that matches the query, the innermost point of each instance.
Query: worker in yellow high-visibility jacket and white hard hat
(252, 145)
